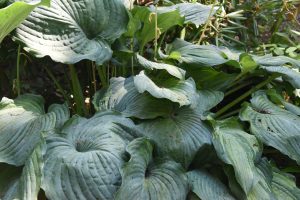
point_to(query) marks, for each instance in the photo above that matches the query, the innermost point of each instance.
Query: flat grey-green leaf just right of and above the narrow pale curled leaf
(202, 55)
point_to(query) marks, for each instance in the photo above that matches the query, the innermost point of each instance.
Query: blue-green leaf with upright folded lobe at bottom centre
(145, 178)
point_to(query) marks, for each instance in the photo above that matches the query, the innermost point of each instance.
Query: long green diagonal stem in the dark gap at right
(245, 95)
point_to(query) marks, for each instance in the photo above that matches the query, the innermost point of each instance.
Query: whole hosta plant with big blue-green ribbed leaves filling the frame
(191, 121)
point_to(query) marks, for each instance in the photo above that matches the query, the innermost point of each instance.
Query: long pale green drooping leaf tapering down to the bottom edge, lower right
(241, 150)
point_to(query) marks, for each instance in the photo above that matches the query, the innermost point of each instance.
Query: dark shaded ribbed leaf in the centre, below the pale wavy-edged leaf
(179, 136)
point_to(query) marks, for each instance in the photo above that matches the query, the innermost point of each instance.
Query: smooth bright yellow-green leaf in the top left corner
(12, 15)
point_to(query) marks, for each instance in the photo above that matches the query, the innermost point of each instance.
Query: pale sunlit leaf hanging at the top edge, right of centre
(195, 13)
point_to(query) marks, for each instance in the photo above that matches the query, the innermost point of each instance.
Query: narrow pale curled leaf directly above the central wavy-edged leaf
(172, 70)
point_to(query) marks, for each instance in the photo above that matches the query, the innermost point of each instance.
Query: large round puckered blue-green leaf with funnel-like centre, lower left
(83, 162)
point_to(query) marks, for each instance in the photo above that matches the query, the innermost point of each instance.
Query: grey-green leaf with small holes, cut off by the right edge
(273, 125)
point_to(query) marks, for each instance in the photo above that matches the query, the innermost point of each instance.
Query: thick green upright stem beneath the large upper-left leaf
(77, 91)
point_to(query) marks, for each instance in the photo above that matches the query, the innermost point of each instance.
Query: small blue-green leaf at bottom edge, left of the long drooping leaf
(205, 186)
